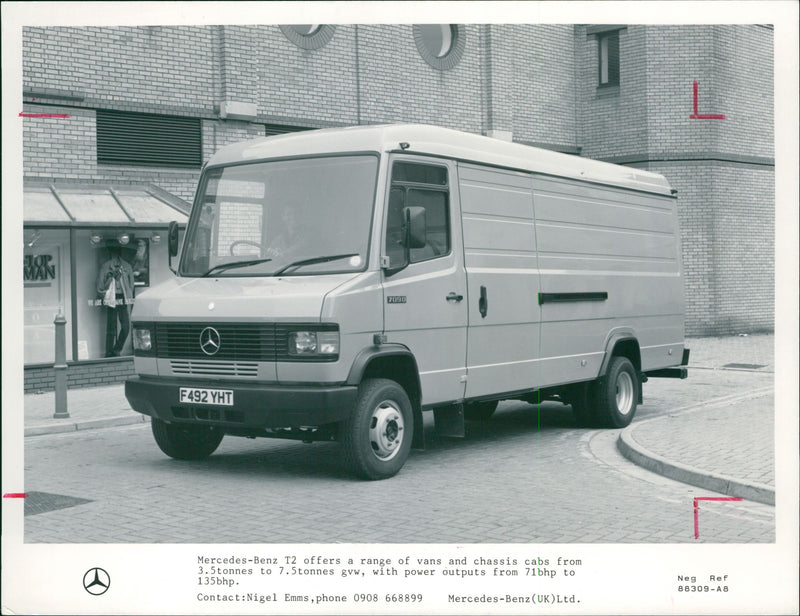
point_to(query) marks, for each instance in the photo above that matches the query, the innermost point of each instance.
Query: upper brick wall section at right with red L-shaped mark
(733, 68)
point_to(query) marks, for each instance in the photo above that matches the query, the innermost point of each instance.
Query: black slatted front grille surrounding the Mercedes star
(243, 342)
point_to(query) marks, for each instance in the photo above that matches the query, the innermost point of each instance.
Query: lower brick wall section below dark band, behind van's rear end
(727, 216)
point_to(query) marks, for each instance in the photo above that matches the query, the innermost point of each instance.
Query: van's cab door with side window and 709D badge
(425, 305)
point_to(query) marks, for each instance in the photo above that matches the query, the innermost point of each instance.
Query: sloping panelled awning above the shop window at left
(68, 204)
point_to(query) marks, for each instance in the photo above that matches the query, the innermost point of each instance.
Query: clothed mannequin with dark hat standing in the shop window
(118, 271)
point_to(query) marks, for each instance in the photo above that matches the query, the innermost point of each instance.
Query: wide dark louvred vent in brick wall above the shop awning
(125, 138)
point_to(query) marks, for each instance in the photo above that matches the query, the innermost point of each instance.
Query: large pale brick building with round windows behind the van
(114, 112)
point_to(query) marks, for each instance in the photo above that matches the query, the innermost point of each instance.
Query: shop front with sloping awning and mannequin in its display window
(89, 250)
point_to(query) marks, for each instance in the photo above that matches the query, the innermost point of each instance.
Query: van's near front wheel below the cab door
(377, 436)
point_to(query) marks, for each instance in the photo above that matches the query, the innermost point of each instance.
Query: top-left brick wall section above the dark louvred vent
(169, 68)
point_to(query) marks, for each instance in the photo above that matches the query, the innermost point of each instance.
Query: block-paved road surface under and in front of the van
(527, 476)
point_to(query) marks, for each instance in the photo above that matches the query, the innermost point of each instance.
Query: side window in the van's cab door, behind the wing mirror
(425, 186)
